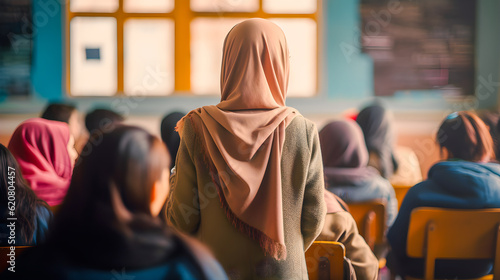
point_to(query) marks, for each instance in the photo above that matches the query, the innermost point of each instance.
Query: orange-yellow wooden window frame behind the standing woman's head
(182, 16)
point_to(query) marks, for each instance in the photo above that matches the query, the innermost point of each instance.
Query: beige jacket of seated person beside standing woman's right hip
(341, 227)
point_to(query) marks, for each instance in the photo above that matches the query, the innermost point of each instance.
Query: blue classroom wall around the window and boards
(346, 75)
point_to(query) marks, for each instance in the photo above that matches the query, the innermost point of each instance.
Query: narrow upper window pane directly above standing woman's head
(224, 5)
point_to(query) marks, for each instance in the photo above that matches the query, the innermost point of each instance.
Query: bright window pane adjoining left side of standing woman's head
(207, 39)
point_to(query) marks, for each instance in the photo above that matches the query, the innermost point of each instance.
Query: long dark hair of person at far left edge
(26, 201)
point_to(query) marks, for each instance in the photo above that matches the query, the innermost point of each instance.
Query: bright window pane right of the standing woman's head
(302, 39)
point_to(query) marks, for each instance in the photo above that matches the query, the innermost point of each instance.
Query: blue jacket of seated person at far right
(450, 184)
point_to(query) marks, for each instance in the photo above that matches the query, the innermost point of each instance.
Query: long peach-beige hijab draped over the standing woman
(242, 137)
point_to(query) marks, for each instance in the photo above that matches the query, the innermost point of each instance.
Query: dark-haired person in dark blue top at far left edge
(32, 214)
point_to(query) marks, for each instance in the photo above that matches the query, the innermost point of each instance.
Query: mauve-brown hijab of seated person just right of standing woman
(345, 156)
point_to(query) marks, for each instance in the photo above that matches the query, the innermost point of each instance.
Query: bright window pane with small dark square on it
(93, 56)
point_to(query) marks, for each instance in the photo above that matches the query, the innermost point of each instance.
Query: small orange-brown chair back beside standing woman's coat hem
(325, 260)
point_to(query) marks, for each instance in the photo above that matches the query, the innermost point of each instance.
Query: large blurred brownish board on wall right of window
(420, 44)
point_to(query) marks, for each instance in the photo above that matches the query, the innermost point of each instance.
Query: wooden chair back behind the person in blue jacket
(439, 233)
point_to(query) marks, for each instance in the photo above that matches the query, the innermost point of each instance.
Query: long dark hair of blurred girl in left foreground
(107, 208)
